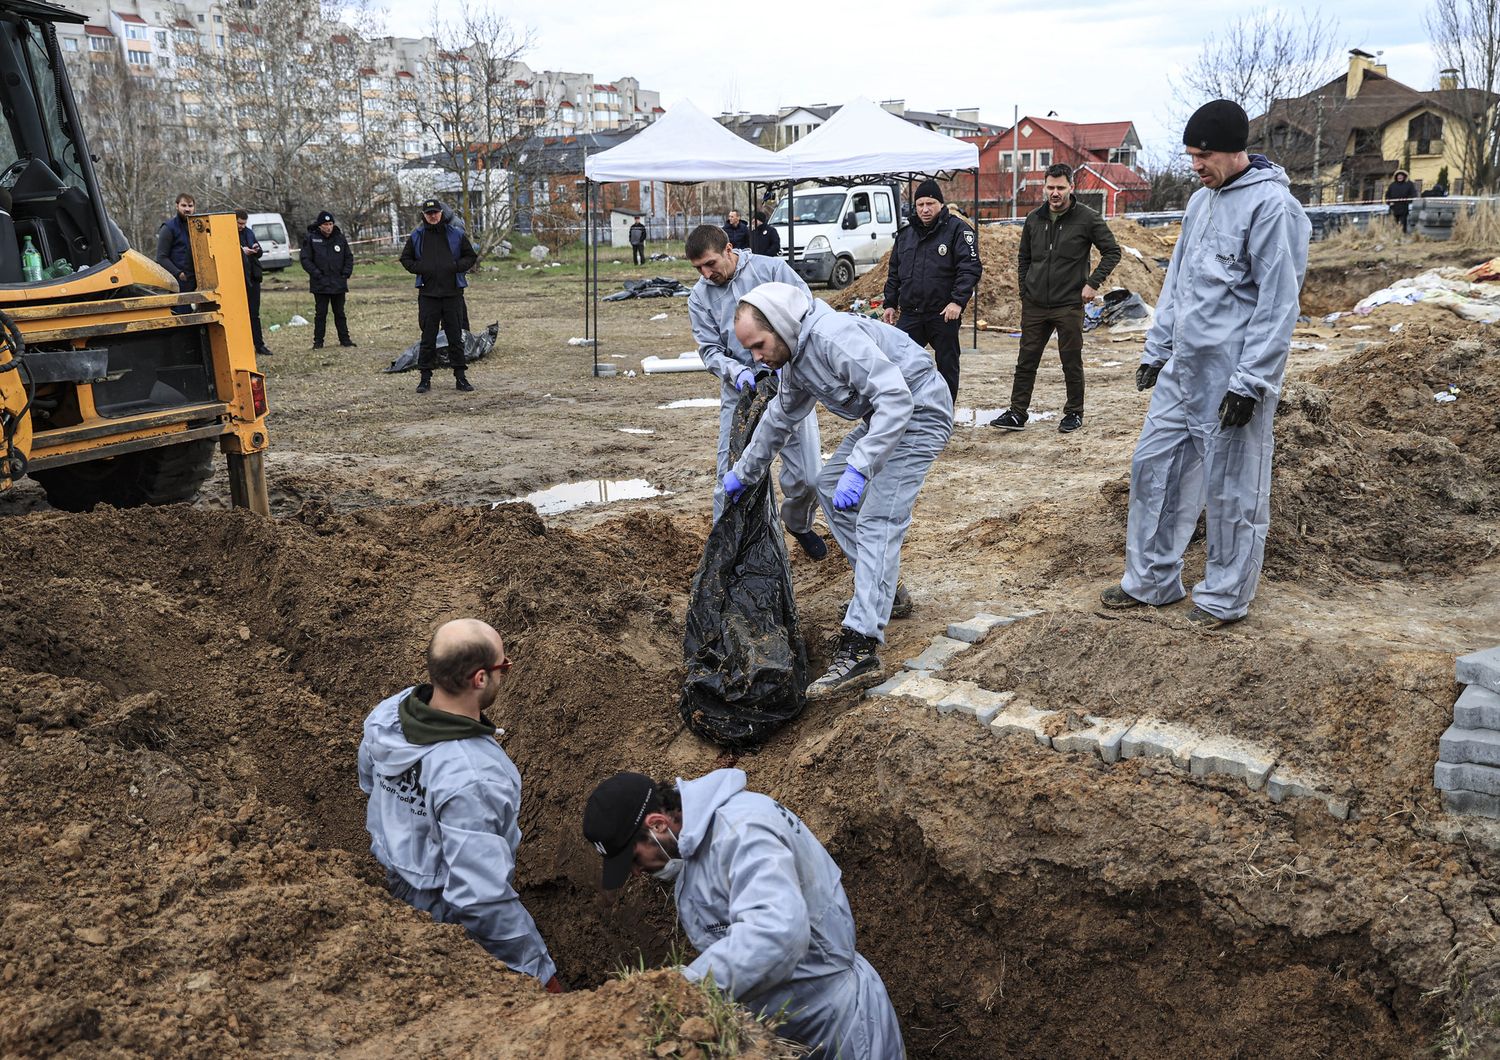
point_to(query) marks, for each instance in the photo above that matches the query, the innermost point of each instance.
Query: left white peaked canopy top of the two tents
(686, 146)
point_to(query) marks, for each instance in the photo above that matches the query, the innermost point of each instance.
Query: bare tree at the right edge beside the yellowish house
(1466, 37)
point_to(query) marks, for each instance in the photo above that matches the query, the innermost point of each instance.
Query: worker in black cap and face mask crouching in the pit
(758, 897)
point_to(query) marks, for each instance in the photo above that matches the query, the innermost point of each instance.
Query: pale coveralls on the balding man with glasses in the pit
(443, 822)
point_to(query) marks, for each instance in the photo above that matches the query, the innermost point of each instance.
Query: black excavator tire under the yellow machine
(161, 476)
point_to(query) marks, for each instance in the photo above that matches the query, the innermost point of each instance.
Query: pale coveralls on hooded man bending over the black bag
(860, 370)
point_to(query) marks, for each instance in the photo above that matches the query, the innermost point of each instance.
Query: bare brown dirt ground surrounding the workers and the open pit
(184, 854)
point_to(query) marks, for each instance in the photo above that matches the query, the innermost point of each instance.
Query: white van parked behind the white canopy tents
(841, 232)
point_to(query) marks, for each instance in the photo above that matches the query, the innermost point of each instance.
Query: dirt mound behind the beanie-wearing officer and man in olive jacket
(998, 299)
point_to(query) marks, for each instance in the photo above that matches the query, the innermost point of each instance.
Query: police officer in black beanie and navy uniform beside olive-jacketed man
(935, 268)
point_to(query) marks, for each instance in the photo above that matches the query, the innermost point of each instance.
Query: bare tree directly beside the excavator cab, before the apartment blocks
(134, 136)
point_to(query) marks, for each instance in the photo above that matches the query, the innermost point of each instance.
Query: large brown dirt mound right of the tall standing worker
(1375, 478)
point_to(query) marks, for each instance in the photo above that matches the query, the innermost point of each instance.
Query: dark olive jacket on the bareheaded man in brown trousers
(1054, 259)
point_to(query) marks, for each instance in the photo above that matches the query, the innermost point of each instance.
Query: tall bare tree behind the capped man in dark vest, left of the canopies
(476, 103)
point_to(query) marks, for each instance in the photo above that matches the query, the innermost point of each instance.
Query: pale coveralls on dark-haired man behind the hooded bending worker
(712, 313)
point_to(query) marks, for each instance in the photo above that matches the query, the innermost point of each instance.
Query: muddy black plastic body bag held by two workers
(743, 648)
